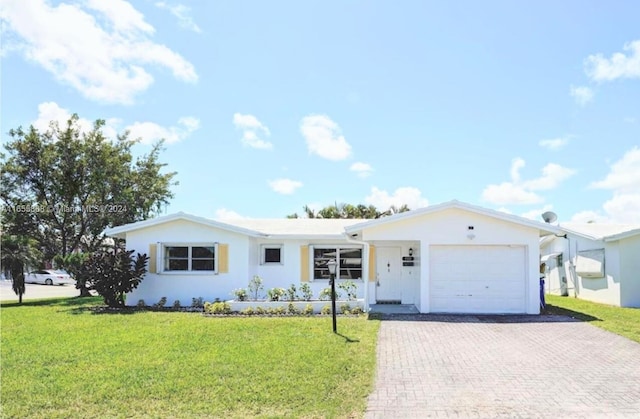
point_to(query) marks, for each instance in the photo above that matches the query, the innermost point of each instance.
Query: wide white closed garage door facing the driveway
(477, 279)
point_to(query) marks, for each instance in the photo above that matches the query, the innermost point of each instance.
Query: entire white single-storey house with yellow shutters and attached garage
(452, 257)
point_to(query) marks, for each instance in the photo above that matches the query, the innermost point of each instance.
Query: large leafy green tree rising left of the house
(64, 186)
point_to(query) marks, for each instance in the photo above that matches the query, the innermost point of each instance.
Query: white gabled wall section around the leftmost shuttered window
(184, 286)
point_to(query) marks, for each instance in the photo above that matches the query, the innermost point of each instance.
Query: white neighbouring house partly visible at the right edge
(595, 262)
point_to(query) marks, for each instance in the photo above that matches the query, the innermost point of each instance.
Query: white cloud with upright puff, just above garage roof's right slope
(523, 192)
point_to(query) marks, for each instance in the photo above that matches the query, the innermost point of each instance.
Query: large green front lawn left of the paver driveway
(60, 359)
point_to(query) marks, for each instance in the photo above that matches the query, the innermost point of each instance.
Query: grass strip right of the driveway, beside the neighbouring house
(623, 321)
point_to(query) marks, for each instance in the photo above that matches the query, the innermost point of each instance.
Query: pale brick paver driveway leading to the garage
(493, 366)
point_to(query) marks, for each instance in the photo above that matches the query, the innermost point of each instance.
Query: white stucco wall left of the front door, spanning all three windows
(245, 254)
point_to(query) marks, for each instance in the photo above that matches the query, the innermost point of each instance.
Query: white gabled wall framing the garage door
(451, 227)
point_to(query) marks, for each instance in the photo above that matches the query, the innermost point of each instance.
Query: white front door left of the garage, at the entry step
(388, 275)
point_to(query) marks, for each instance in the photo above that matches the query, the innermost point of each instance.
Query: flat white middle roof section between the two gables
(296, 227)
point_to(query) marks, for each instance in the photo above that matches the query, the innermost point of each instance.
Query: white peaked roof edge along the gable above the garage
(544, 229)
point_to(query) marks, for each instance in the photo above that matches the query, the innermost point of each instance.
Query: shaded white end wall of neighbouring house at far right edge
(630, 272)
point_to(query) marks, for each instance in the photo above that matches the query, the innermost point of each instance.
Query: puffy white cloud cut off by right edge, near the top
(619, 66)
